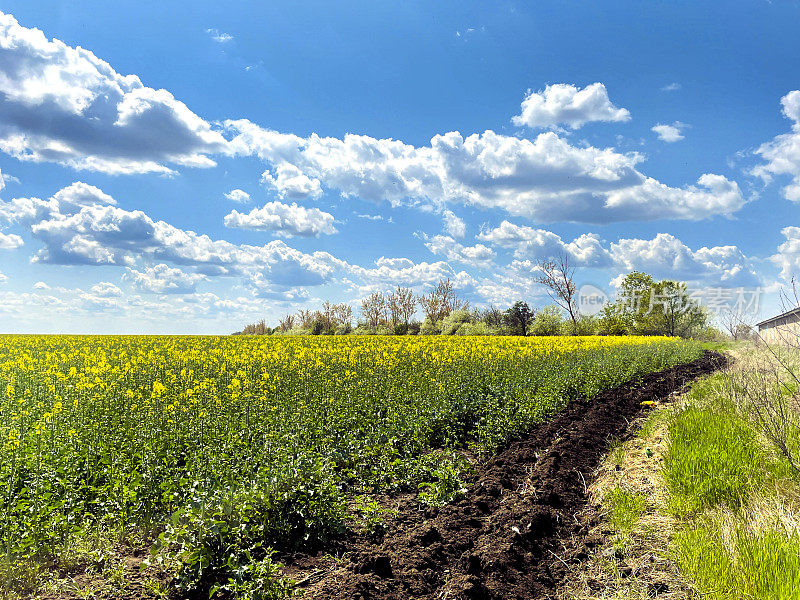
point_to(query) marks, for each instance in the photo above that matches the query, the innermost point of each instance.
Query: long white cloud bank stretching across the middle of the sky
(546, 179)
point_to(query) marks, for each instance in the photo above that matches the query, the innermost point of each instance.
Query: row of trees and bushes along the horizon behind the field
(643, 306)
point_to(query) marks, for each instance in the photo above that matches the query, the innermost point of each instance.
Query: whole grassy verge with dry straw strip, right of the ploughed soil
(704, 501)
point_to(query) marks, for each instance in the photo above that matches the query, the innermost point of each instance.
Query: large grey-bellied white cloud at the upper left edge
(63, 104)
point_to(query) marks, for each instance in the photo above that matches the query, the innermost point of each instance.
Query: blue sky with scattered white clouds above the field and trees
(179, 171)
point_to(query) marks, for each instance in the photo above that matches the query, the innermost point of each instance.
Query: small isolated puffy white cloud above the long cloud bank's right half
(565, 104)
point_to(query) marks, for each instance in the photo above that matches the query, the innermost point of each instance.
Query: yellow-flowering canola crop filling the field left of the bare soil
(123, 431)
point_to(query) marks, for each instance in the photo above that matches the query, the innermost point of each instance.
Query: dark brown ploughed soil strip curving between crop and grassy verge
(520, 525)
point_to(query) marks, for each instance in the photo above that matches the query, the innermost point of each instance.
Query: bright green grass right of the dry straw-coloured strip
(719, 470)
